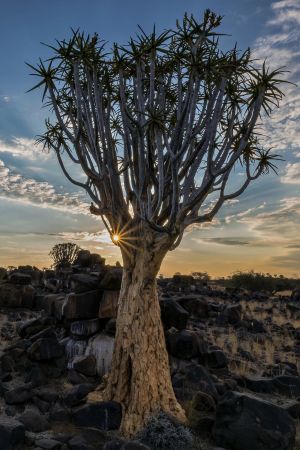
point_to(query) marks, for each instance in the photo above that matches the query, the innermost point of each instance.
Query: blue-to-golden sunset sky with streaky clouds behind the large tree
(39, 207)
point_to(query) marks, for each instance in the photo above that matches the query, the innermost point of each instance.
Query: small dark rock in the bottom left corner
(12, 433)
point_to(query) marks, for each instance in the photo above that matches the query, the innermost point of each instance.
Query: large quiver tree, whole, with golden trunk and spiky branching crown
(159, 127)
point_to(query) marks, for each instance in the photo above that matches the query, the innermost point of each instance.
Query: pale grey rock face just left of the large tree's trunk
(101, 347)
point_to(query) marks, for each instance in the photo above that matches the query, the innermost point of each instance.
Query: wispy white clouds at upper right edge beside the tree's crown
(280, 46)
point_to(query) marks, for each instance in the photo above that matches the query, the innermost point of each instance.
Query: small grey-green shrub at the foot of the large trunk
(164, 433)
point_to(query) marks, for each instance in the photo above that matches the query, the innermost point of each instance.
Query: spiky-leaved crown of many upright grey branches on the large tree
(158, 125)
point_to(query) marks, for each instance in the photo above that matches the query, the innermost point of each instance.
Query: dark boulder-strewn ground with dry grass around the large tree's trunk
(234, 359)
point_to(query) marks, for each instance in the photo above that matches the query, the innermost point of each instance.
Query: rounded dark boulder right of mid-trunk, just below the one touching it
(185, 344)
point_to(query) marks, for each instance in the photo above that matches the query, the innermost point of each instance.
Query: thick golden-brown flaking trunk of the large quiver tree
(140, 375)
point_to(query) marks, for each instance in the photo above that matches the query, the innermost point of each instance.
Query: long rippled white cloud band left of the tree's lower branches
(15, 187)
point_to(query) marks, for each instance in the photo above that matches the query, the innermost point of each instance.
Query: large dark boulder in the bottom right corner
(244, 422)
